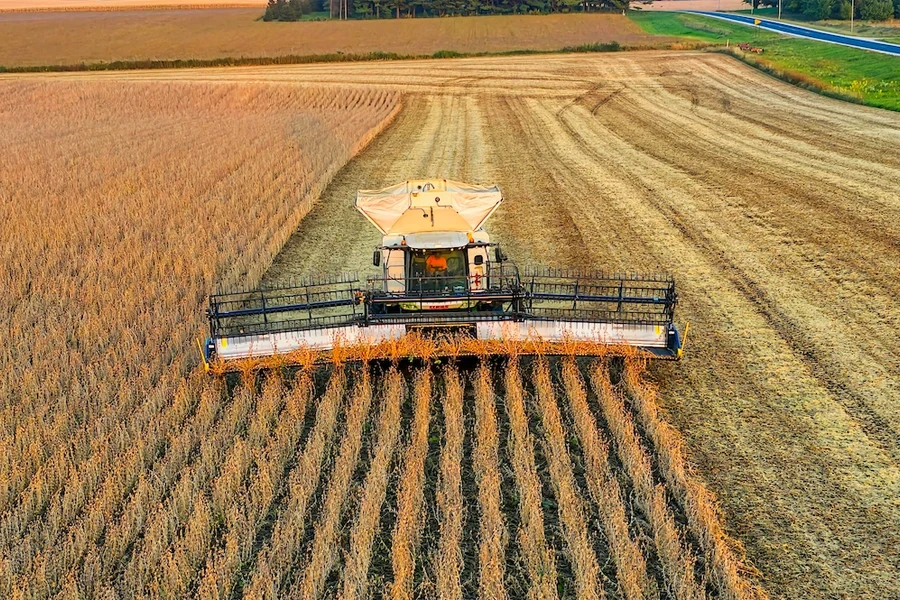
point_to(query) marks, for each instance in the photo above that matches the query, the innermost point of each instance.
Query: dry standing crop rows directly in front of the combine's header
(332, 520)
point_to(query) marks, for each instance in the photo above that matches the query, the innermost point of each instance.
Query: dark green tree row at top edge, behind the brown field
(294, 10)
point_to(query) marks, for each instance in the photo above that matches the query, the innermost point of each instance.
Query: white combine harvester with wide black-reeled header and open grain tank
(440, 273)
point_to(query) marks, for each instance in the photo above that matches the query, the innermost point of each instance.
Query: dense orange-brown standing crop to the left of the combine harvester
(123, 204)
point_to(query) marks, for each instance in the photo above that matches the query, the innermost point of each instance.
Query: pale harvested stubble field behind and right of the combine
(776, 209)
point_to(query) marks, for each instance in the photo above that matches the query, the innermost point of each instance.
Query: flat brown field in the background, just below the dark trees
(72, 37)
